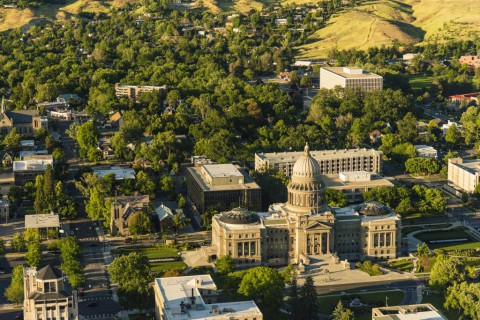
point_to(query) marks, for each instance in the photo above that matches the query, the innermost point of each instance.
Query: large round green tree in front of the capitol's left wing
(265, 286)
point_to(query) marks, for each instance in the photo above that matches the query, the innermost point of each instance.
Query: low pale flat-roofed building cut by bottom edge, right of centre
(424, 311)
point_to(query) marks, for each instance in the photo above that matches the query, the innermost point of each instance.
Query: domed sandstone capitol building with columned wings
(305, 226)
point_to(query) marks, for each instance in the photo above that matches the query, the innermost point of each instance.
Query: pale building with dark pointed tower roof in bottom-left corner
(47, 295)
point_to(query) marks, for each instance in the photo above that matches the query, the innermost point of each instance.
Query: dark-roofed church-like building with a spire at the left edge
(26, 122)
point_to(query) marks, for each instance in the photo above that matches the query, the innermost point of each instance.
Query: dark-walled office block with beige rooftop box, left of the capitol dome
(224, 185)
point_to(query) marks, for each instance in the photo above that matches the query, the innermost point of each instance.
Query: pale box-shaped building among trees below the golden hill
(350, 77)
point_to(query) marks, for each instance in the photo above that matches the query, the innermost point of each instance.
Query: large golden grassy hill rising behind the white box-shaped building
(377, 23)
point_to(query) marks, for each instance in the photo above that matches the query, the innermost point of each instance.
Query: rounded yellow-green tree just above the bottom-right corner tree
(447, 271)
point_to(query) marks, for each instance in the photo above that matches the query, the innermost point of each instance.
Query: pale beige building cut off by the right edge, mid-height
(464, 174)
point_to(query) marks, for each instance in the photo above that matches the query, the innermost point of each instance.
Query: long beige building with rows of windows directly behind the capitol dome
(330, 161)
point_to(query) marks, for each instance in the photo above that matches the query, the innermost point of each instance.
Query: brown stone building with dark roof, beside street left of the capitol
(123, 209)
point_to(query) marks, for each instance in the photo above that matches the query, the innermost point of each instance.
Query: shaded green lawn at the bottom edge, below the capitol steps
(373, 299)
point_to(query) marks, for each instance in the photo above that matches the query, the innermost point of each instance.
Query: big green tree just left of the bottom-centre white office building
(132, 274)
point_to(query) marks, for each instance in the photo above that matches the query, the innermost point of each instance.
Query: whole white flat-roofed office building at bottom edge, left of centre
(195, 298)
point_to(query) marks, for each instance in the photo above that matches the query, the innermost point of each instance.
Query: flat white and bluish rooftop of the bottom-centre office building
(177, 291)
